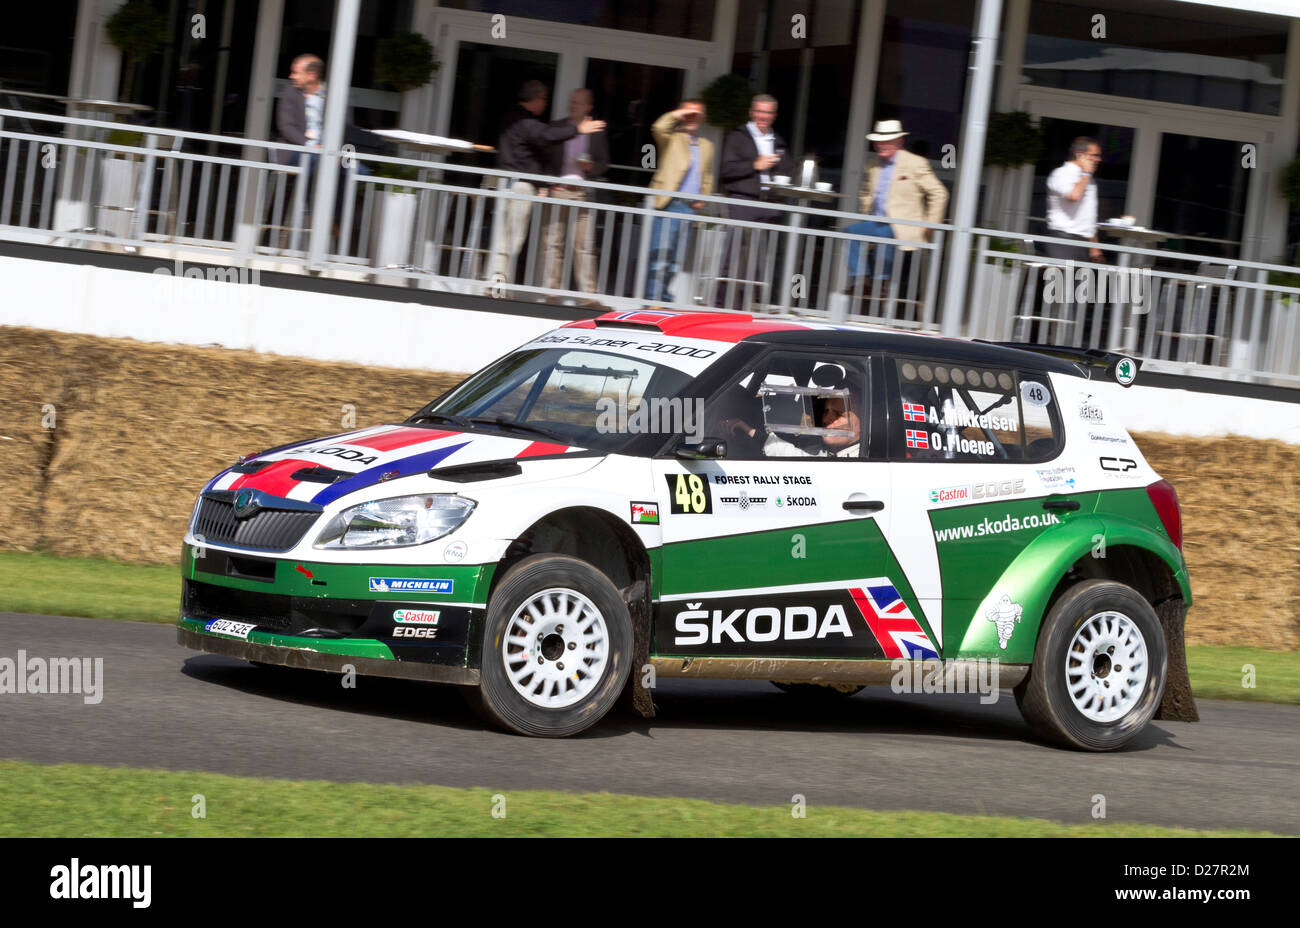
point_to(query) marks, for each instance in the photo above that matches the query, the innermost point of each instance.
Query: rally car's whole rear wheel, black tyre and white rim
(1099, 669)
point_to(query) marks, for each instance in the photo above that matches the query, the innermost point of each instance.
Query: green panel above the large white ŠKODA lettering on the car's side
(833, 552)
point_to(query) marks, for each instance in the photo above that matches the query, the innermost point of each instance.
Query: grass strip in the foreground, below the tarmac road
(83, 800)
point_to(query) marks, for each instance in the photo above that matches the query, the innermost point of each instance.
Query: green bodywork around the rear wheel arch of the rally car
(1123, 518)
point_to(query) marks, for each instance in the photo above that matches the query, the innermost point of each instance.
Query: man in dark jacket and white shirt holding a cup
(752, 155)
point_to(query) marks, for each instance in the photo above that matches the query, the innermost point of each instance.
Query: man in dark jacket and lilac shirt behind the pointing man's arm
(580, 158)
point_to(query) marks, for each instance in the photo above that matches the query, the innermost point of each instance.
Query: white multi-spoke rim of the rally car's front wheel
(556, 648)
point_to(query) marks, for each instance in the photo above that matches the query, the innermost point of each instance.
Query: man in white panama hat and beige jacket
(899, 187)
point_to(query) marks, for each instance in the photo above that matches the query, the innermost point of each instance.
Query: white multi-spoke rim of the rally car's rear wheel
(1107, 667)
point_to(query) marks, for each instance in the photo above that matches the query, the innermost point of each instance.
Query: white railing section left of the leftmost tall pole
(70, 185)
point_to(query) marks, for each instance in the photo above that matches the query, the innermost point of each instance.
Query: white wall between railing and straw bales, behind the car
(391, 333)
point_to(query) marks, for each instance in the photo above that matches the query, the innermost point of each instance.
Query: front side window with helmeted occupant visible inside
(794, 406)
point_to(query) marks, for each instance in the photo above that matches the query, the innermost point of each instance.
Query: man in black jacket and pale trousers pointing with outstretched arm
(523, 149)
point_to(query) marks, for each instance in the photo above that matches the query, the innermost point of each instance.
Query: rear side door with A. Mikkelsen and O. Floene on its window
(970, 445)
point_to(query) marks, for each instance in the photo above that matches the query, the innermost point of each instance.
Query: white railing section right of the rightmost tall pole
(1184, 314)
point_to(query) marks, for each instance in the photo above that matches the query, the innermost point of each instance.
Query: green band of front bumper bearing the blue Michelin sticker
(353, 582)
